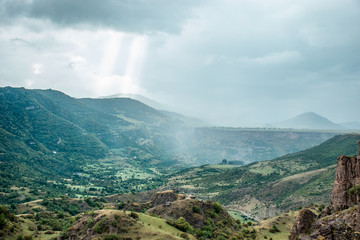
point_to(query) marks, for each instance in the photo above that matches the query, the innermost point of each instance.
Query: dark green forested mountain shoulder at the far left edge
(35, 140)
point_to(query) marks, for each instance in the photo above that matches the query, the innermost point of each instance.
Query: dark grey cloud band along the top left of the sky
(123, 15)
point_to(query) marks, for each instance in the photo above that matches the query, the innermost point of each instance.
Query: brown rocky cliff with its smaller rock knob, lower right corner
(341, 218)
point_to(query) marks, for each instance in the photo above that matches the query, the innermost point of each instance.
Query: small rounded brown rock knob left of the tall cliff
(303, 223)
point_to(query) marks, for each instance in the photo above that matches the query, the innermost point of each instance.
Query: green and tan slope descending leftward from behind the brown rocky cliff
(264, 188)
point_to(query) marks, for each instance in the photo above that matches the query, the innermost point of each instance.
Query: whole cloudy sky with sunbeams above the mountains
(230, 62)
